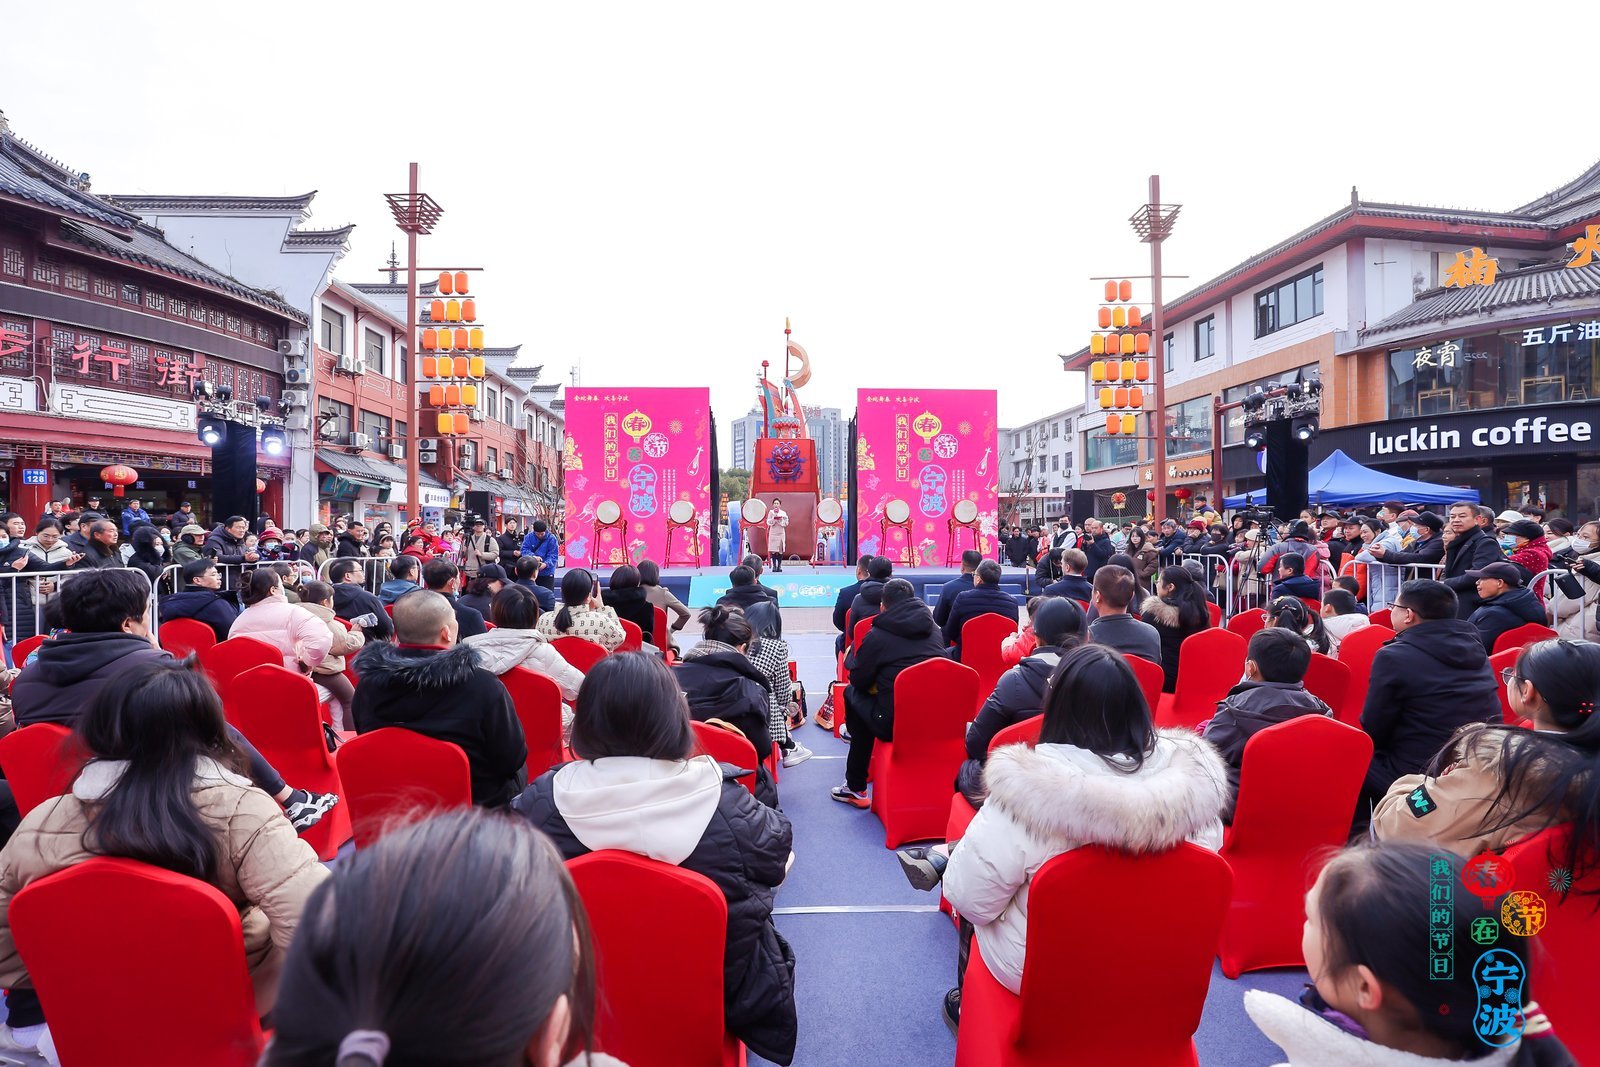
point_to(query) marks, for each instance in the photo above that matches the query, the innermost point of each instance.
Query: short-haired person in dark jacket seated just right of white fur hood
(1273, 692)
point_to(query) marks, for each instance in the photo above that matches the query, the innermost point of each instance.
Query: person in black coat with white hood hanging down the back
(638, 788)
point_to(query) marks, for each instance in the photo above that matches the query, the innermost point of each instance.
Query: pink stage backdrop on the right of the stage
(929, 449)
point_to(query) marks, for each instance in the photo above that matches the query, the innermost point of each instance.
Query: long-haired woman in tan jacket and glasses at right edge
(1506, 783)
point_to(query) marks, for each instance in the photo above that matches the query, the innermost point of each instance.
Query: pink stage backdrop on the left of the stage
(641, 450)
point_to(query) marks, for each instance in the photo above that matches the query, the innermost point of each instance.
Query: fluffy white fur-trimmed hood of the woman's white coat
(1070, 794)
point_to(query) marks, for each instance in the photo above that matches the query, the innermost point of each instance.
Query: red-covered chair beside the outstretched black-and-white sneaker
(278, 711)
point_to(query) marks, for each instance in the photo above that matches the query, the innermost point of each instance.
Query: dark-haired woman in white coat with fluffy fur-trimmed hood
(1100, 775)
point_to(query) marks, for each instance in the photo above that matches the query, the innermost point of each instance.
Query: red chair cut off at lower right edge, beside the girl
(1566, 980)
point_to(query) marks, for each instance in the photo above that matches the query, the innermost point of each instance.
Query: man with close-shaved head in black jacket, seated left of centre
(434, 687)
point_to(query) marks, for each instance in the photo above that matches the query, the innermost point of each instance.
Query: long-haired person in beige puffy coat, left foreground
(162, 725)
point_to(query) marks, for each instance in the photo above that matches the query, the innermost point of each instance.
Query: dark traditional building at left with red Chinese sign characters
(106, 330)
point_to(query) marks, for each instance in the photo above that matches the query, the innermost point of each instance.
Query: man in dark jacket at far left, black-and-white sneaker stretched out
(108, 634)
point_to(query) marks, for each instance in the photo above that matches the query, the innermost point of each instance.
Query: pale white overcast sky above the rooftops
(924, 188)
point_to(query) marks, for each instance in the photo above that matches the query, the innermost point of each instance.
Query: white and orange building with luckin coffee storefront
(1434, 332)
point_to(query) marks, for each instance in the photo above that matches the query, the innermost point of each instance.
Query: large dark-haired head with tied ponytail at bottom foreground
(460, 940)
